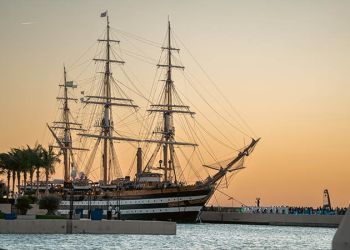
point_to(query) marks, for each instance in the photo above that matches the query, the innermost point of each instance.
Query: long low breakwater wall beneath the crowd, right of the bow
(271, 219)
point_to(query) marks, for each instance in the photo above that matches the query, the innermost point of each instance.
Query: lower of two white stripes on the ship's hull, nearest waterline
(148, 211)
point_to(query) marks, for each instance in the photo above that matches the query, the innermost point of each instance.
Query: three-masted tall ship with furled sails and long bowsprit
(158, 190)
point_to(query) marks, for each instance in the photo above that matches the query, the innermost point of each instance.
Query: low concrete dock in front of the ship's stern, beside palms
(62, 226)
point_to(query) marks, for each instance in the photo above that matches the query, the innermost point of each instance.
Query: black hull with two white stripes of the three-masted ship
(172, 204)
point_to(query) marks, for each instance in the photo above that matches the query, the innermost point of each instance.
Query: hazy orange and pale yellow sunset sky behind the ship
(284, 65)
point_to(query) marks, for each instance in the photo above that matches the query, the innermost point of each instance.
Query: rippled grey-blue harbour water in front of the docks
(195, 236)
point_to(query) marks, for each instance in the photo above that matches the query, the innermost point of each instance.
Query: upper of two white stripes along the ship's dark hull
(133, 202)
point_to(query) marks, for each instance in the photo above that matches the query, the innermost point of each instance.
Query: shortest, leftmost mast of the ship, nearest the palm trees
(65, 125)
